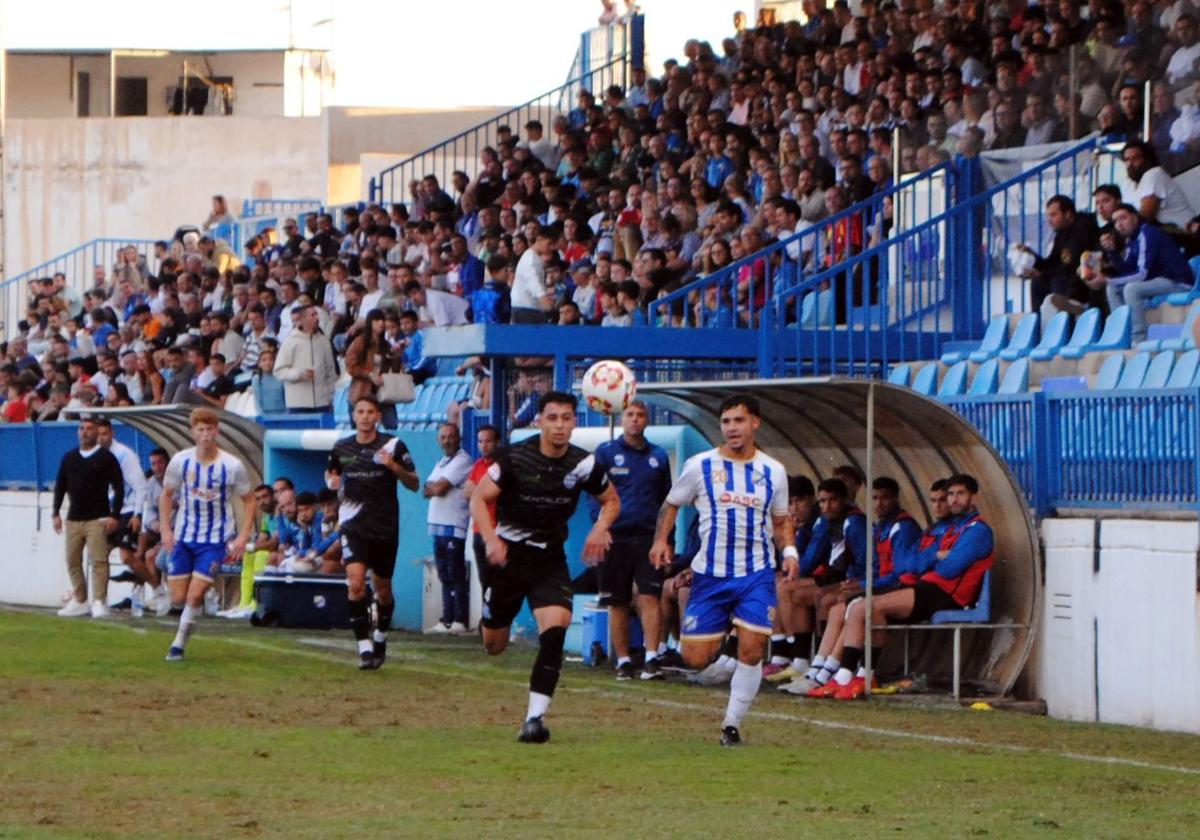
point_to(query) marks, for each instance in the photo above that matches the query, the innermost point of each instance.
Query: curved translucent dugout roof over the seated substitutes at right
(814, 425)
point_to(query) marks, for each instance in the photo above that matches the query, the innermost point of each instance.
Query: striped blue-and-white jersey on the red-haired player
(206, 495)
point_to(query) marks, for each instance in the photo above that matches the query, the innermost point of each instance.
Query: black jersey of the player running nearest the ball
(539, 494)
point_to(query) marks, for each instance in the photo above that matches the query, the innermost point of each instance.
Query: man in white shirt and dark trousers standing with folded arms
(448, 526)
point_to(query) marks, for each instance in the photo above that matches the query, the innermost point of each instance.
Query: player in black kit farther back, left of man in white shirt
(365, 469)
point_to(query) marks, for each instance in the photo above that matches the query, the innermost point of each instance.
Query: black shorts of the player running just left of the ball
(535, 574)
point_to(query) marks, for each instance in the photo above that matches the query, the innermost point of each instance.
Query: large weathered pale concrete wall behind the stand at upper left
(73, 181)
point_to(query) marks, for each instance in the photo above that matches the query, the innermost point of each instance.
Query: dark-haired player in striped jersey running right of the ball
(741, 500)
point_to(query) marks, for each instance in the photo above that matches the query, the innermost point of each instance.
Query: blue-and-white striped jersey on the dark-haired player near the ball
(735, 505)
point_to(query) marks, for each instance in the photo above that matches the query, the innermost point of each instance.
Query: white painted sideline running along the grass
(946, 741)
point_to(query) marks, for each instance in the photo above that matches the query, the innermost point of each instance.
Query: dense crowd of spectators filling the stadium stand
(626, 199)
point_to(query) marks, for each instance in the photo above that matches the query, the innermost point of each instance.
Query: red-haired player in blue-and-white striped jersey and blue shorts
(206, 478)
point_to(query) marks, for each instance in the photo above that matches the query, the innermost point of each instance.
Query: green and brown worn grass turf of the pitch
(275, 734)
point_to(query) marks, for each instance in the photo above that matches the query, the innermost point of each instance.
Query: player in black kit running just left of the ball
(536, 487)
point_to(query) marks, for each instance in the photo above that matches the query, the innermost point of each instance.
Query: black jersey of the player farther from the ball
(369, 505)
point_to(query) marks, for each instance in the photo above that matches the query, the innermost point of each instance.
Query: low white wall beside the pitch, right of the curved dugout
(1121, 631)
